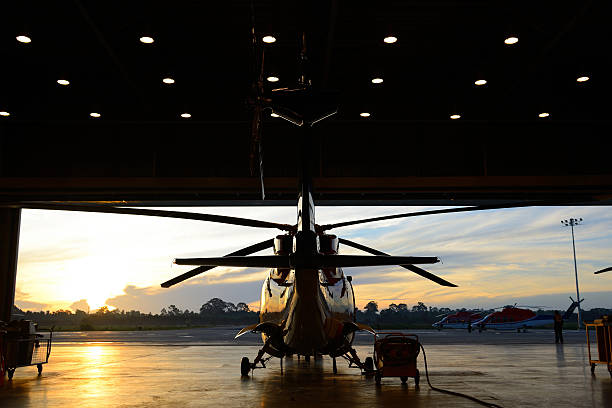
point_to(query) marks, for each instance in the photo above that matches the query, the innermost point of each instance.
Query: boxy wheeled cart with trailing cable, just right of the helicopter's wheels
(395, 355)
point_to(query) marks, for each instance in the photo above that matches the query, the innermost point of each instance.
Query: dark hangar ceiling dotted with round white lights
(407, 151)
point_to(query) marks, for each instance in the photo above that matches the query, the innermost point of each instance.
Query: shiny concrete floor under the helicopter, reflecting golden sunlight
(508, 369)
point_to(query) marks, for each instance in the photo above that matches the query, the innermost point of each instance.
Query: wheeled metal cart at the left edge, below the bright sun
(20, 349)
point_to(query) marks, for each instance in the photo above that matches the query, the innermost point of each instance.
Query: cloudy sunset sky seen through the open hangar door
(70, 260)
